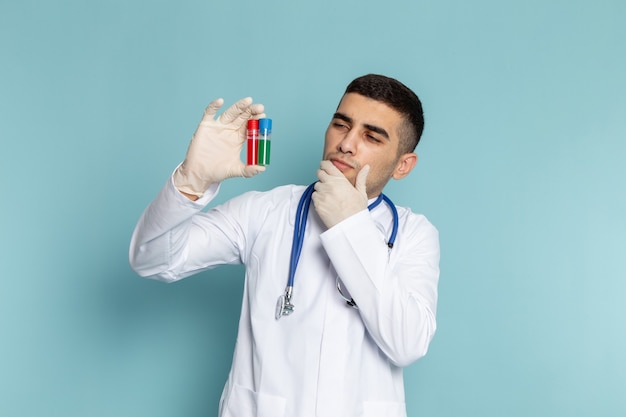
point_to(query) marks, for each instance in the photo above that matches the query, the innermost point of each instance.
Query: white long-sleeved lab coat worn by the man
(326, 359)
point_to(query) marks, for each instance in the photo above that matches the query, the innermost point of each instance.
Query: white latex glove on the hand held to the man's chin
(335, 198)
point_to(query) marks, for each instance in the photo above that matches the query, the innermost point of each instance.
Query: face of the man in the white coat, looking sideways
(363, 132)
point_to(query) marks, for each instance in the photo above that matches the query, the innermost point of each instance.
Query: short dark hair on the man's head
(400, 98)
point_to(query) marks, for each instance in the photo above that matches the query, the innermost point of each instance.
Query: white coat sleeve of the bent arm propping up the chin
(396, 291)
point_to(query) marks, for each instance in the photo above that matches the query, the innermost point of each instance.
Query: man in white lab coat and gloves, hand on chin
(328, 357)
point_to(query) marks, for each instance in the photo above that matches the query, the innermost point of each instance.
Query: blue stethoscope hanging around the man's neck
(284, 306)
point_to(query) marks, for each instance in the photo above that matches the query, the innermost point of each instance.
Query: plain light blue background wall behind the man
(521, 169)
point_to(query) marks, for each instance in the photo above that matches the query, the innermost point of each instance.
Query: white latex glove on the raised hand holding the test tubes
(214, 153)
